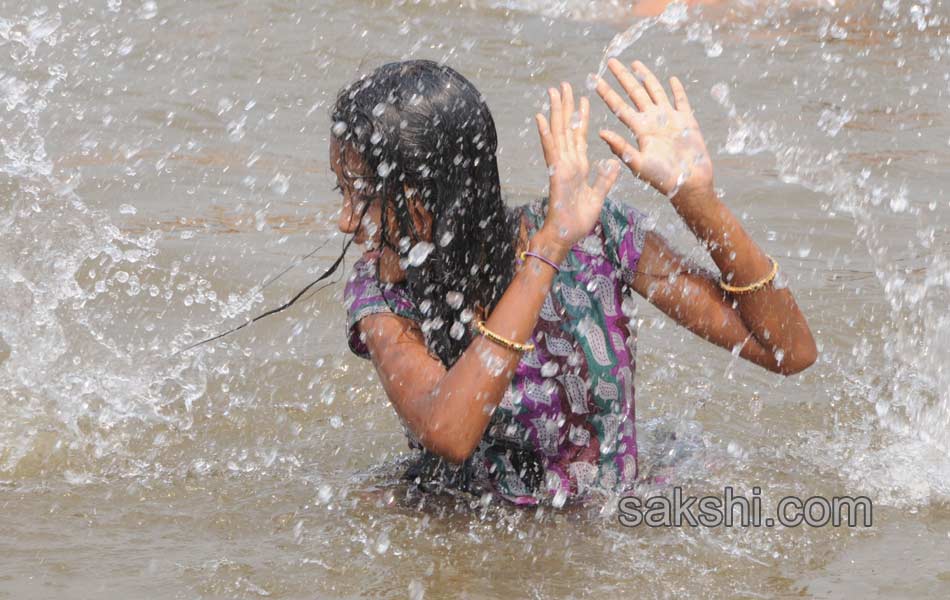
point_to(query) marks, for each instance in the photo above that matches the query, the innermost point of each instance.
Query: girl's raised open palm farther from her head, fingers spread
(670, 154)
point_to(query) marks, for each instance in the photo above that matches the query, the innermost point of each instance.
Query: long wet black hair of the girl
(421, 128)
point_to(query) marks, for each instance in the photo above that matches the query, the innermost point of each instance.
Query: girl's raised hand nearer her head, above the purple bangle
(574, 206)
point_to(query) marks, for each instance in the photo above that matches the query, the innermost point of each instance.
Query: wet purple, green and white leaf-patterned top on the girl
(565, 427)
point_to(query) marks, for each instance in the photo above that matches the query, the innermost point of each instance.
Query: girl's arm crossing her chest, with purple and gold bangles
(449, 409)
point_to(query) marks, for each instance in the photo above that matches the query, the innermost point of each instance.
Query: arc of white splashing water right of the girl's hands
(912, 398)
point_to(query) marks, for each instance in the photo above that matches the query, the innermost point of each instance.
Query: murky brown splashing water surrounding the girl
(161, 160)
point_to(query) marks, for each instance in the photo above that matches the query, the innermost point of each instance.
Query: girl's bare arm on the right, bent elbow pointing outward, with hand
(672, 157)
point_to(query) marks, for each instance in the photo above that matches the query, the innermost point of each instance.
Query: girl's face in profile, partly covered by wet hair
(356, 183)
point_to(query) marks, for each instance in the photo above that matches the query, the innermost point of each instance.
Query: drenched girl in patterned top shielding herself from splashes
(502, 336)
